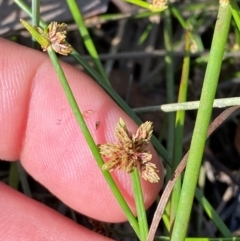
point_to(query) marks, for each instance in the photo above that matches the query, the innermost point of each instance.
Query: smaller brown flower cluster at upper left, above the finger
(57, 36)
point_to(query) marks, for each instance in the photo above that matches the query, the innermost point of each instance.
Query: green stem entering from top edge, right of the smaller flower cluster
(77, 15)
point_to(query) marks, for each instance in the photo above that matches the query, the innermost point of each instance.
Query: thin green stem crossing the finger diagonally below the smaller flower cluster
(90, 141)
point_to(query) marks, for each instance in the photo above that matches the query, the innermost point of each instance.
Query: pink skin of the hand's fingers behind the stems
(37, 126)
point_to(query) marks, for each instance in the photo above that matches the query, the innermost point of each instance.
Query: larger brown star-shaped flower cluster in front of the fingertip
(130, 152)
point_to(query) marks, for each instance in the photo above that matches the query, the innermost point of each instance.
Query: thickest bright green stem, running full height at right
(202, 122)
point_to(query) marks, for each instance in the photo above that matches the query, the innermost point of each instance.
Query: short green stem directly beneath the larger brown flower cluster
(141, 212)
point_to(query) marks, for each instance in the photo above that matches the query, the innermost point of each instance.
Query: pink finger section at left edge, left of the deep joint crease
(15, 81)
